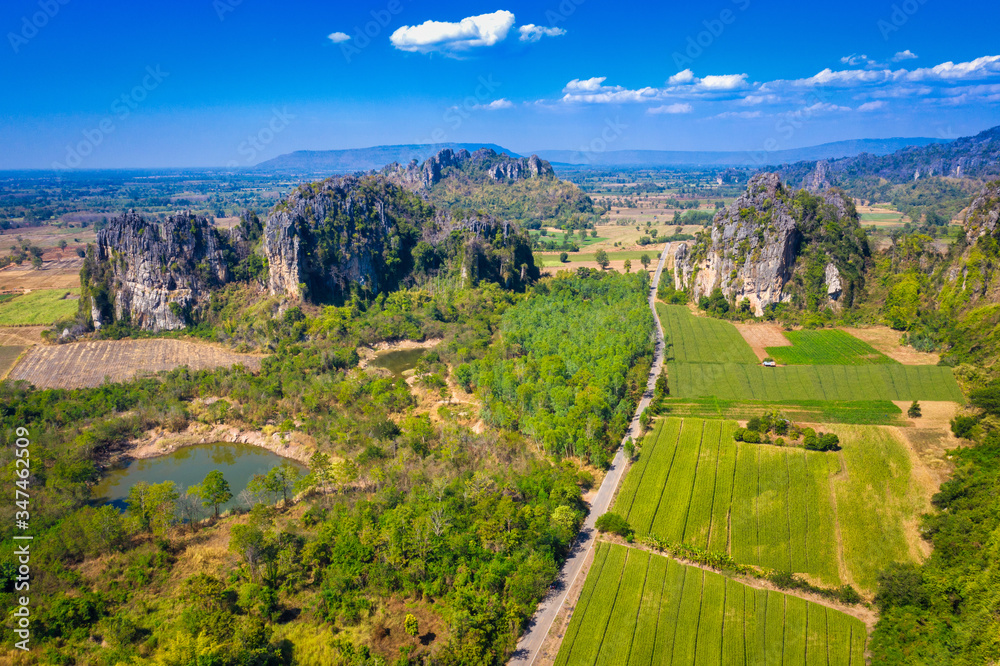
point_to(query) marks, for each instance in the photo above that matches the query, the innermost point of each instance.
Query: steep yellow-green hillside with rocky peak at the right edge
(949, 301)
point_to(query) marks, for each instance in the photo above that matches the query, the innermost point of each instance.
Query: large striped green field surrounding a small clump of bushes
(776, 507)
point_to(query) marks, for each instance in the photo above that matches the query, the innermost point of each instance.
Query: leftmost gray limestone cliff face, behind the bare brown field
(157, 271)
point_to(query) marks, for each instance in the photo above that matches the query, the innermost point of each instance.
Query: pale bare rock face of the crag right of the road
(751, 251)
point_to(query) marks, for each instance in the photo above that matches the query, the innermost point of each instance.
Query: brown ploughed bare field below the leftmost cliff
(87, 364)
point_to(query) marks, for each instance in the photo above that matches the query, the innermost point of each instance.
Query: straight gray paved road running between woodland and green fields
(538, 628)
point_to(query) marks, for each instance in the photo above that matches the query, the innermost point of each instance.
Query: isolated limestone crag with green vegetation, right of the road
(773, 246)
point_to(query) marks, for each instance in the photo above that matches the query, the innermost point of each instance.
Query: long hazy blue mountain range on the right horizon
(654, 158)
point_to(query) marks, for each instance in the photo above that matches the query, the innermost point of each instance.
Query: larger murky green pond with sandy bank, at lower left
(187, 466)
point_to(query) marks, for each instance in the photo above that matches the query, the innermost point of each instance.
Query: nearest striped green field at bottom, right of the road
(641, 608)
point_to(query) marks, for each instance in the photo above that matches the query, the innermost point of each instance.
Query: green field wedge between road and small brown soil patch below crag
(702, 339)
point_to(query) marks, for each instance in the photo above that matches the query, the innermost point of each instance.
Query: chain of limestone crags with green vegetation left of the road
(364, 235)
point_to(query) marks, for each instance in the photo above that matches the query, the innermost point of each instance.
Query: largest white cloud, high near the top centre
(449, 37)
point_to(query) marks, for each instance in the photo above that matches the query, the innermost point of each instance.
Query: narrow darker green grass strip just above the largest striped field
(858, 412)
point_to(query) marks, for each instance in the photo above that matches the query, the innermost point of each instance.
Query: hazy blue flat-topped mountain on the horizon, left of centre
(331, 162)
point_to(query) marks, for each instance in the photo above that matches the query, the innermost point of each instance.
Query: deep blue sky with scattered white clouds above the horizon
(212, 83)
